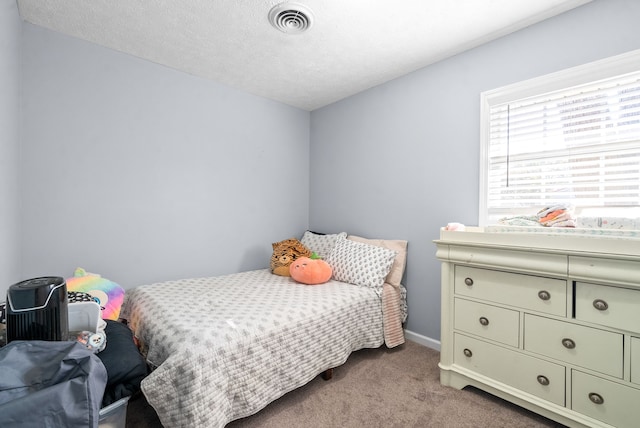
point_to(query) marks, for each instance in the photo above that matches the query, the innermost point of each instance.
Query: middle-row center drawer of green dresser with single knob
(593, 348)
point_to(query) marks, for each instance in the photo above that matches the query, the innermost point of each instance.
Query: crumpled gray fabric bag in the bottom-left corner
(50, 384)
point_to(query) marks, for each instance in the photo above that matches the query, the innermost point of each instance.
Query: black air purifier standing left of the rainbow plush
(37, 310)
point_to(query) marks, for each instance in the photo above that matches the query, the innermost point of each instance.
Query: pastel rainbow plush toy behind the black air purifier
(108, 294)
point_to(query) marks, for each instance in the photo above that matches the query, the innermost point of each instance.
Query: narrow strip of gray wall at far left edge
(9, 144)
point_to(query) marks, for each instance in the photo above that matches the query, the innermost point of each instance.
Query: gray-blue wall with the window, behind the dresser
(402, 160)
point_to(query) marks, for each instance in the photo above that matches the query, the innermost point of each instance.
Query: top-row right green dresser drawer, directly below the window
(611, 306)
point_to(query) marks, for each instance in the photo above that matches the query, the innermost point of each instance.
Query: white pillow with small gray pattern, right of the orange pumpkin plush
(359, 263)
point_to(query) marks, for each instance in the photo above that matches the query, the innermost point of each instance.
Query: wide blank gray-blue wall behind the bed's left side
(142, 173)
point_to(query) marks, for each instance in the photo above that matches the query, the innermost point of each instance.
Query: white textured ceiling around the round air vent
(352, 45)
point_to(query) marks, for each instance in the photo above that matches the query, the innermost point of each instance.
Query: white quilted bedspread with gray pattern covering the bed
(227, 346)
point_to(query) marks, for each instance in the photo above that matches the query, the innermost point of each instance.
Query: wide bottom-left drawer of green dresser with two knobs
(537, 377)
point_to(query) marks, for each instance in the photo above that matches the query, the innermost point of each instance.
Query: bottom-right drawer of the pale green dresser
(614, 404)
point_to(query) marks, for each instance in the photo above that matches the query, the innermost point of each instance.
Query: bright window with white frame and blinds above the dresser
(569, 137)
